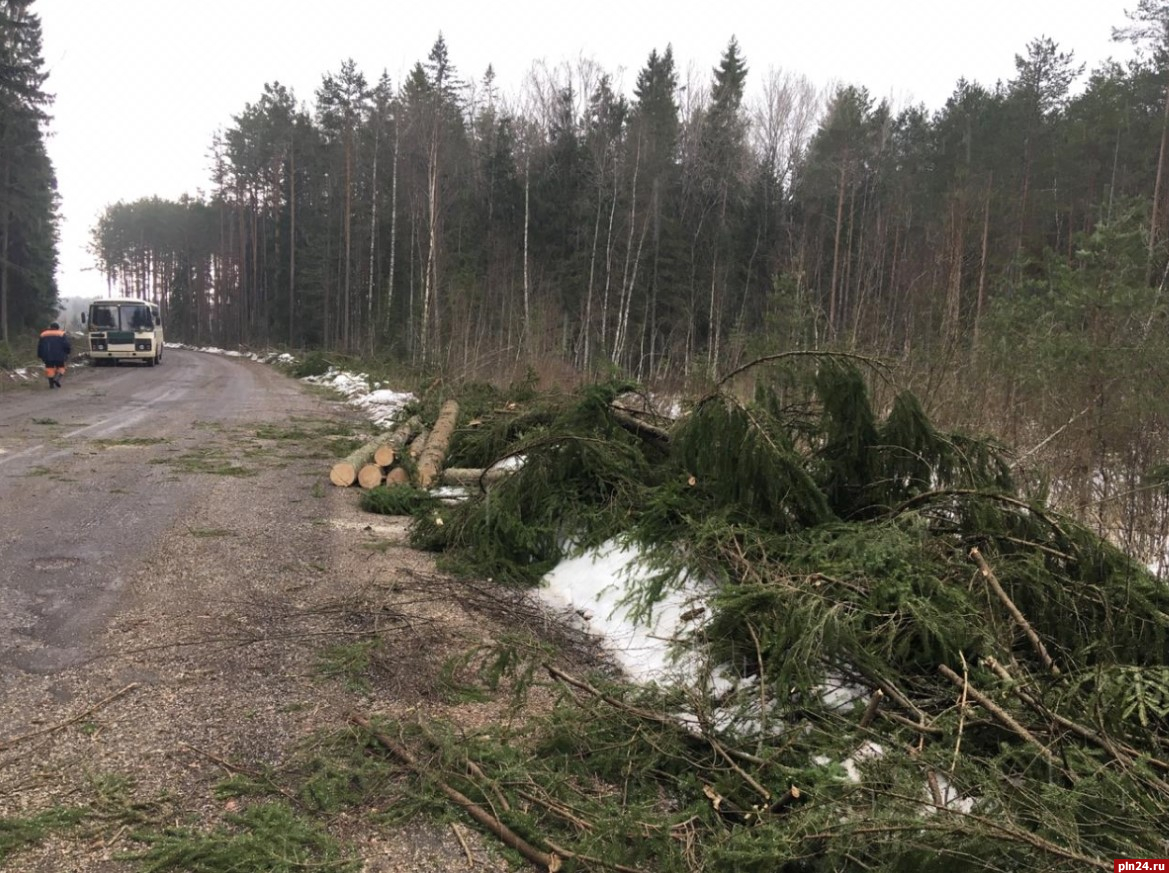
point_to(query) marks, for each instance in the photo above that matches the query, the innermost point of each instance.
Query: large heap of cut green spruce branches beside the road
(1008, 668)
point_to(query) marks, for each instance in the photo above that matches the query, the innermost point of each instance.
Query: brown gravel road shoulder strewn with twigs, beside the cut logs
(215, 662)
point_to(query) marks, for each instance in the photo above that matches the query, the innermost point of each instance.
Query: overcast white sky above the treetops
(142, 86)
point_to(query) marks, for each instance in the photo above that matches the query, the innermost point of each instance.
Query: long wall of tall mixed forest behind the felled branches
(680, 228)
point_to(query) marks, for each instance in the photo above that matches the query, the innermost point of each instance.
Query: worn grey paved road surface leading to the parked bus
(93, 475)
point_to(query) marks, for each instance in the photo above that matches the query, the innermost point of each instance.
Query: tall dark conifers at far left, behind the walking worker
(29, 218)
